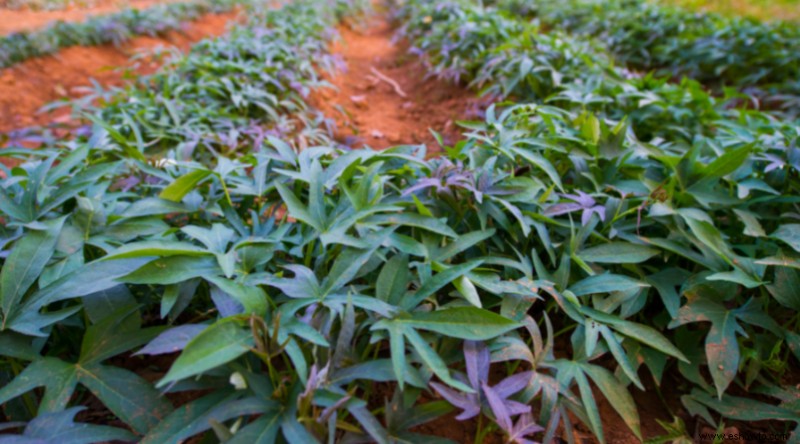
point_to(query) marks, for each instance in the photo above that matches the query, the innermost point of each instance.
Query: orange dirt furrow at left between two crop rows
(26, 87)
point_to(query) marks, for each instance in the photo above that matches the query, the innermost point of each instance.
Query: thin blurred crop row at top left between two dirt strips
(112, 28)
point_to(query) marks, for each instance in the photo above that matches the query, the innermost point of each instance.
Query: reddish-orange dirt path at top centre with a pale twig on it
(369, 110)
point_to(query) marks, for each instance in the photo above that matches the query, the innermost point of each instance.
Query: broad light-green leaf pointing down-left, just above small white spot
(217, 345)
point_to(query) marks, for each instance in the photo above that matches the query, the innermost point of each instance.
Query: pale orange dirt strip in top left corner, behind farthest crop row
(27, 20)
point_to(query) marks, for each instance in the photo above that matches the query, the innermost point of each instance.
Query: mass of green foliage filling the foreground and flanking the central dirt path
(206, 212)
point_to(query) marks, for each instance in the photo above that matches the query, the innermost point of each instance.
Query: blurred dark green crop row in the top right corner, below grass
(759, 58)
